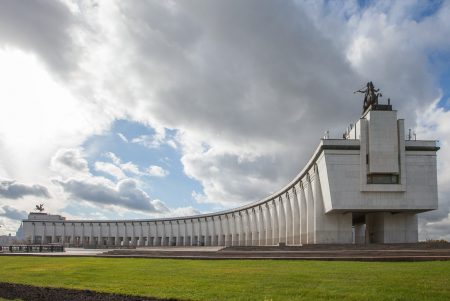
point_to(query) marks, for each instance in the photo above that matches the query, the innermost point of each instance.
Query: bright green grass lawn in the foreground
(236, 279)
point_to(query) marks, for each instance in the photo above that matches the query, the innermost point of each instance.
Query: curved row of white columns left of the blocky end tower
(284, 217)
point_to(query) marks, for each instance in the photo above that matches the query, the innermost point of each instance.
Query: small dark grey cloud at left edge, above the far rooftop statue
(13, 190)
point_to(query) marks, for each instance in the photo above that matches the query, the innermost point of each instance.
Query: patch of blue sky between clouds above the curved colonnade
(135, 142)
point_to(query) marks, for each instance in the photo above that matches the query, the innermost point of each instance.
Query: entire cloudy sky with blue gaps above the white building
(140, 109)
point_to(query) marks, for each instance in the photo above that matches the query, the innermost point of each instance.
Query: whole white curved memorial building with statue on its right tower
(367, 187)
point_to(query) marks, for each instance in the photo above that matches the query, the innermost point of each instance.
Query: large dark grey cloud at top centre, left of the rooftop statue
(252, 69)
